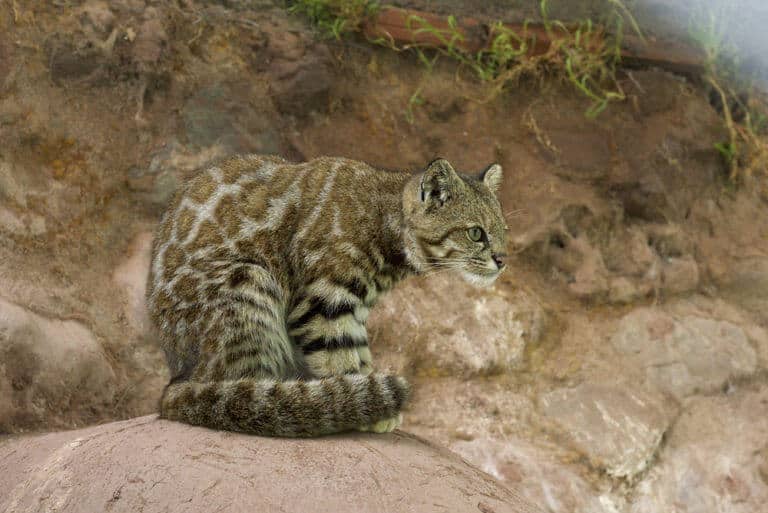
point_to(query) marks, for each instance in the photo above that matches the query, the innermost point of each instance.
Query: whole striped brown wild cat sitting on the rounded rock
(264, 272)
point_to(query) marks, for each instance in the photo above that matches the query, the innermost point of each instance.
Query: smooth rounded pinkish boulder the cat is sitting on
(147, 464)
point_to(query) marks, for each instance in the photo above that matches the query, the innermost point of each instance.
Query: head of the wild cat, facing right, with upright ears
(455, 222)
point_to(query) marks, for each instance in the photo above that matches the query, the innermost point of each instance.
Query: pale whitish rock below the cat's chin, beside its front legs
(456, 329)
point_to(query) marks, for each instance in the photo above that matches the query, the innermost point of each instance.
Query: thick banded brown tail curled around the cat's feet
(287, 408)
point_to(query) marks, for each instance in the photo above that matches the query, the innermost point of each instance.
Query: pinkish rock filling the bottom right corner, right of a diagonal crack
(716, 458)
